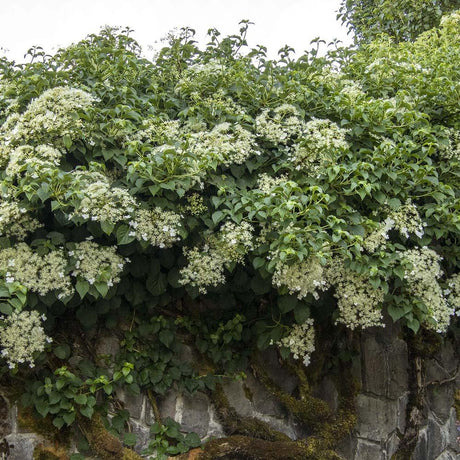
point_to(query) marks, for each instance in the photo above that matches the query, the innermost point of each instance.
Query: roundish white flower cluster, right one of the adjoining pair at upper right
(322, 141)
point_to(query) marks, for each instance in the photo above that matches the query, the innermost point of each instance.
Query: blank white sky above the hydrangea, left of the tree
(55, 23)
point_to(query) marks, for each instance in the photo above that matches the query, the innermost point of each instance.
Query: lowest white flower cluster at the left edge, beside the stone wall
(21, 337)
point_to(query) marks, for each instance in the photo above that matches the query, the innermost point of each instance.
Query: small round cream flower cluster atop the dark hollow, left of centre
(157, 226)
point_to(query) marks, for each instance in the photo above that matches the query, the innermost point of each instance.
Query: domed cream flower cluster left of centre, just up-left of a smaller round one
(101, 202)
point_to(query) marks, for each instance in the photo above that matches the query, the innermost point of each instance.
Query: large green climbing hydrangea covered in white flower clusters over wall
(247, 200)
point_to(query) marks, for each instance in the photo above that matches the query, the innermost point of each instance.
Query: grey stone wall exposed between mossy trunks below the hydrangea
(382, 405)
